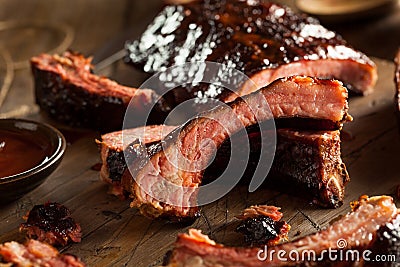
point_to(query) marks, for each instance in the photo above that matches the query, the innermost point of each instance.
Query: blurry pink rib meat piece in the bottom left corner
(35, 253)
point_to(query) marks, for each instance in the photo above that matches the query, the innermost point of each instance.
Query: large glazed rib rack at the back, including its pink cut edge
(263, 40)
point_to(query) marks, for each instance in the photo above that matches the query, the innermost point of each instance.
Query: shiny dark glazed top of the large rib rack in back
(249, 36)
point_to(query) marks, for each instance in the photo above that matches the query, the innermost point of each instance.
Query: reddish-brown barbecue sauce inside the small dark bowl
(21, 151)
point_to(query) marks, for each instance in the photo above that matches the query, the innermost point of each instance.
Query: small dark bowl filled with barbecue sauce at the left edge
(29, 152)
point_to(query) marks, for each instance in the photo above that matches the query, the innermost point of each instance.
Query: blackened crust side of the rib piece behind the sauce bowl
(68, 103)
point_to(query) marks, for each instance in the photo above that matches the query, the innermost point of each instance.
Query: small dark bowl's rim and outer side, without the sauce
(15, 186)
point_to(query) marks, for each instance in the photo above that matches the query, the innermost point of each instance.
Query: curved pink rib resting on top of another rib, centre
(174, 169)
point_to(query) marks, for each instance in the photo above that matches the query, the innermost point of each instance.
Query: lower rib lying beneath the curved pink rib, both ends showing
(307, 160)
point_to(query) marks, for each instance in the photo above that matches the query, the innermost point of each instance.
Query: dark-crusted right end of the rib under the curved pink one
(313, 165)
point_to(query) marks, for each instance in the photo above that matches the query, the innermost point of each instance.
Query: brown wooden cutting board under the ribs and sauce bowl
(116, 235)
